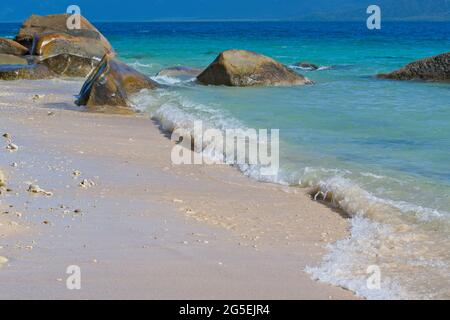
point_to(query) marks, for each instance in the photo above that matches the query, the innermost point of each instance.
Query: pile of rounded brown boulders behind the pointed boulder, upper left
(45, 48)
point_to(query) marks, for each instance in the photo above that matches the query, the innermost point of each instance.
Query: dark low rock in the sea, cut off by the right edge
(435, 68)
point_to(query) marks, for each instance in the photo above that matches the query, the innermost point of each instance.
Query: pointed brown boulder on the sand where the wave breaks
(111, 84)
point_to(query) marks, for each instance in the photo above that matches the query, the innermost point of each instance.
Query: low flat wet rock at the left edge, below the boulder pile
(28, 72)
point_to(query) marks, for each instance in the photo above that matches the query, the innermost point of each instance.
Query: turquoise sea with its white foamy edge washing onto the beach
(381, 148)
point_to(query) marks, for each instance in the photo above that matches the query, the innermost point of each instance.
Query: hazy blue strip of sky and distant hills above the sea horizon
(142, 10)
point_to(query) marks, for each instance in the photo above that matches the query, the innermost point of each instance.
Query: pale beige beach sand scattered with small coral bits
(141, 227)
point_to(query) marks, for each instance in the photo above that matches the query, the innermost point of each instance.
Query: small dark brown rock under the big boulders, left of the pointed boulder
(68, 65)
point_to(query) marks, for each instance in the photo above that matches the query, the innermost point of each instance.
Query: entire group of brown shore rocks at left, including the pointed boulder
(45, 48)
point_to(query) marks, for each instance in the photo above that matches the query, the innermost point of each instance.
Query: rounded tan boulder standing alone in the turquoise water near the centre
(246, 68)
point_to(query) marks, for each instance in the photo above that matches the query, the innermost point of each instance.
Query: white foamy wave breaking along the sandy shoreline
(398, 237)
